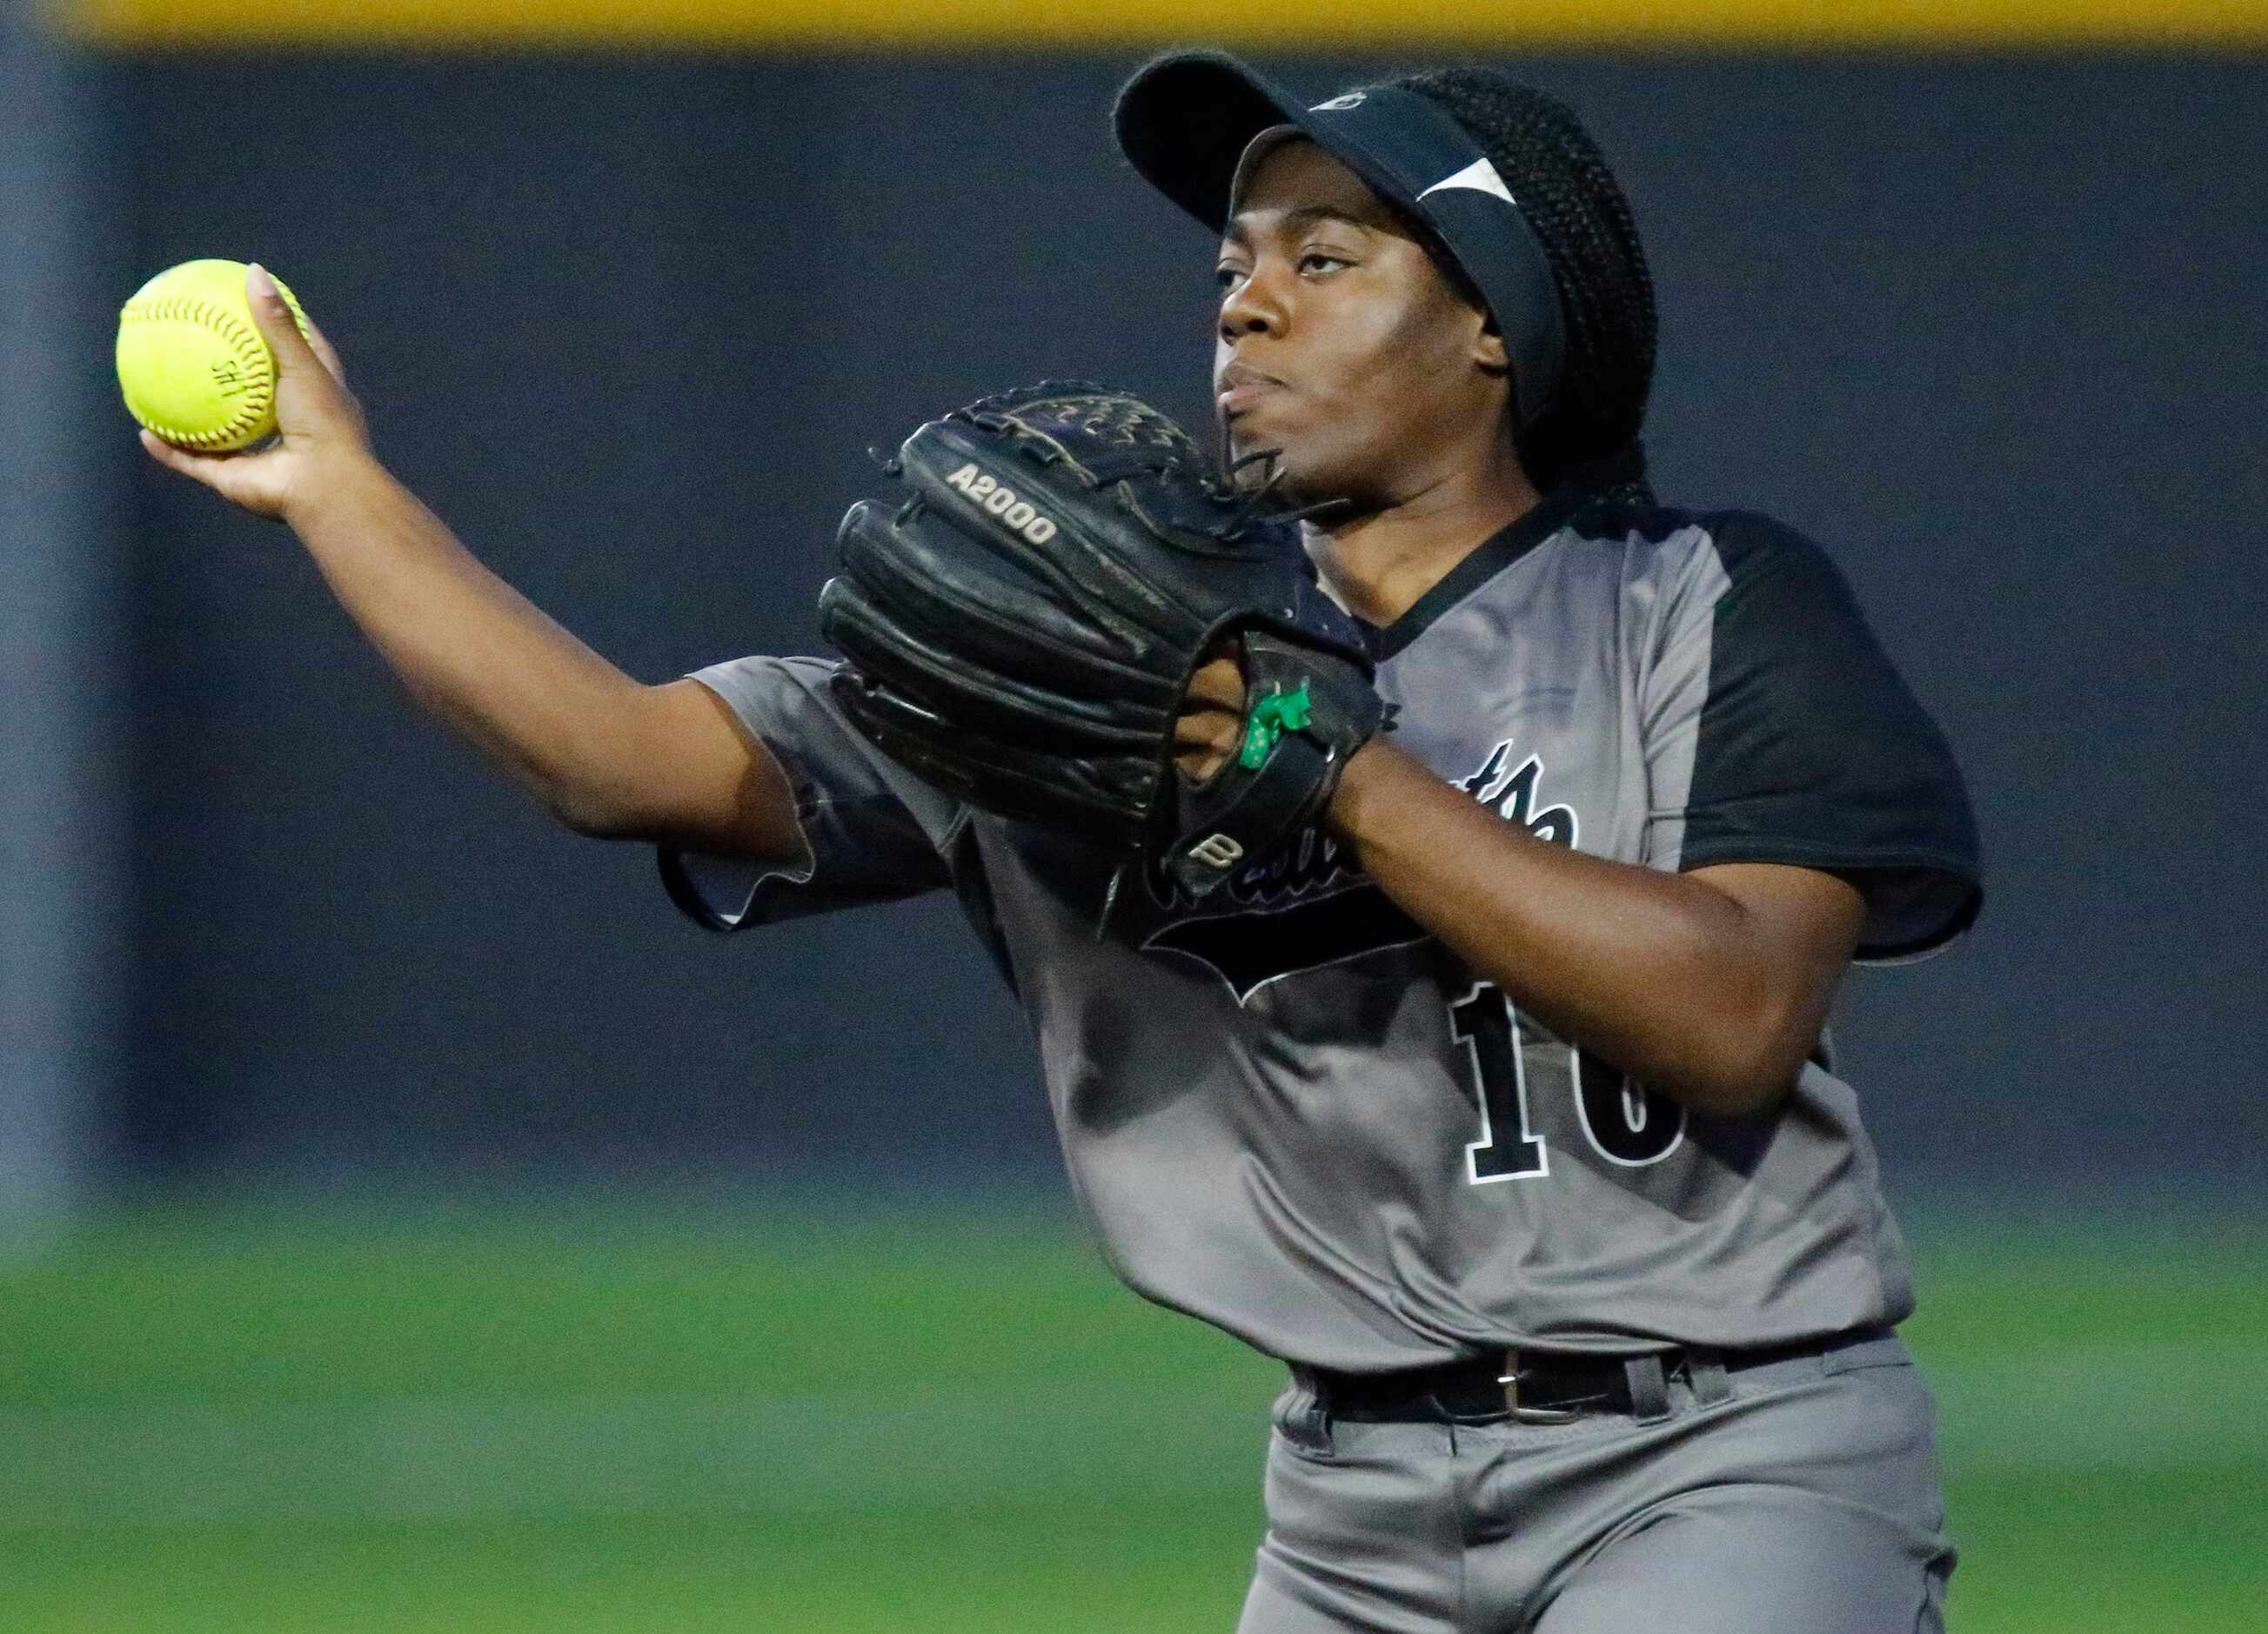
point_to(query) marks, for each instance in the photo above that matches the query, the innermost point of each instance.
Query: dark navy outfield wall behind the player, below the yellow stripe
(1988, 328)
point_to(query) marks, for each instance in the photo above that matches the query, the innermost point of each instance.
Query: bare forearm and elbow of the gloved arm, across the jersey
(1655, 972)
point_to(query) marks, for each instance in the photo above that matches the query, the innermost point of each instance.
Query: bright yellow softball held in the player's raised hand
(192, 362)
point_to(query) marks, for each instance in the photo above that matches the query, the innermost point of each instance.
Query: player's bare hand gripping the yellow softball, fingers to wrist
(319, 421)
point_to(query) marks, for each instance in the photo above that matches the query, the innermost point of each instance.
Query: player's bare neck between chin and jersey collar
(1378, 564)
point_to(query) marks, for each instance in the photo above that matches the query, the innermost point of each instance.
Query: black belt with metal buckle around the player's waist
(1534, 1385)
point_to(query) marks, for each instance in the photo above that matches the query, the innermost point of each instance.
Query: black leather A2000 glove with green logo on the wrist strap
(1024, 628)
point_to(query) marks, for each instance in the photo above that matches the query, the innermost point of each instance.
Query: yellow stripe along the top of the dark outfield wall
(1133, 24)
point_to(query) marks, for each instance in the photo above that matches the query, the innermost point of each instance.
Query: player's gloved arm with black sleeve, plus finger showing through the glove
(1813, 814)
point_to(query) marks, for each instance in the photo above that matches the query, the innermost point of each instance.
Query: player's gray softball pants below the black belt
(1791, 1499)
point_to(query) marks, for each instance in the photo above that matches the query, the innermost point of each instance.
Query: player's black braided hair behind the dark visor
(1584, 221)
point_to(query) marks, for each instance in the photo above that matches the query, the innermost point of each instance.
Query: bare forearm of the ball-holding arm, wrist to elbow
(475, 652)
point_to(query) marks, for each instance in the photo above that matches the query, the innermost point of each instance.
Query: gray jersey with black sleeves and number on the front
(1296, 1115)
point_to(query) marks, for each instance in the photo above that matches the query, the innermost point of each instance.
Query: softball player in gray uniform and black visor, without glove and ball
(1500, 1109)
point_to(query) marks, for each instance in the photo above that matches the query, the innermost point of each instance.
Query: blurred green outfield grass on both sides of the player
(659, 1417)
